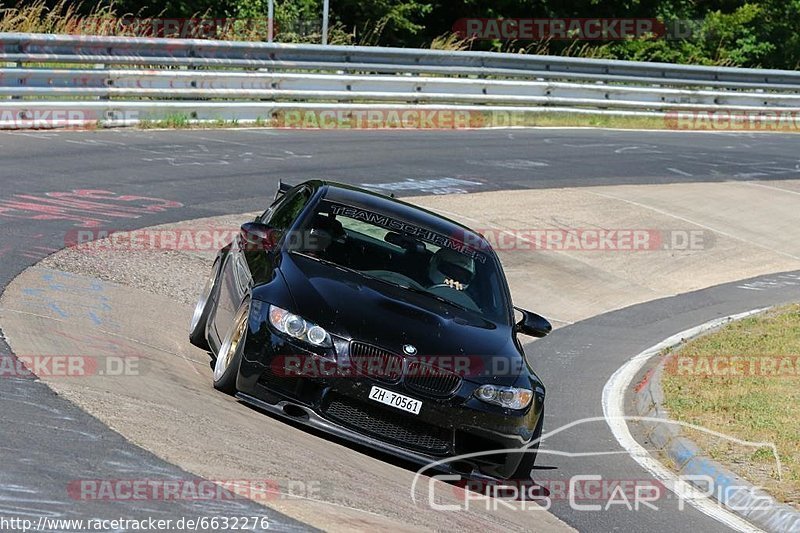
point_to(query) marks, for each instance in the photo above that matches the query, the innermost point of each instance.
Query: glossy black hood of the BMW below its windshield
(356, 307)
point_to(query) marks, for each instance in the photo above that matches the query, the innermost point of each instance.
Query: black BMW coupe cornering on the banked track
(379, 322)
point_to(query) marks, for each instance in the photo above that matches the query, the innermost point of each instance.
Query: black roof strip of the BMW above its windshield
(400, 210)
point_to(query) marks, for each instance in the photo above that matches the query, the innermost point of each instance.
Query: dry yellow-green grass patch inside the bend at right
(753, 406)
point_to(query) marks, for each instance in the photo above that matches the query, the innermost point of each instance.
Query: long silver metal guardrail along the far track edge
(143, 78)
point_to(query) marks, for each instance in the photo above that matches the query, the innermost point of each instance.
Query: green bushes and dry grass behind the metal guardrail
(748, 33)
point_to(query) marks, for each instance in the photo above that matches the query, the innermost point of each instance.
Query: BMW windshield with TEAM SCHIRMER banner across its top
(396, 252)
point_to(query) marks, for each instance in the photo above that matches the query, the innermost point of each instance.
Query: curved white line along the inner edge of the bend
(614, 412)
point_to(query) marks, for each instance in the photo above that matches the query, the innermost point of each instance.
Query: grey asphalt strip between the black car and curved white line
(575, 363)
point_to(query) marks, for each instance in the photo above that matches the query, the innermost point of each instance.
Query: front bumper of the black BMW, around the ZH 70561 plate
(446, 427)
